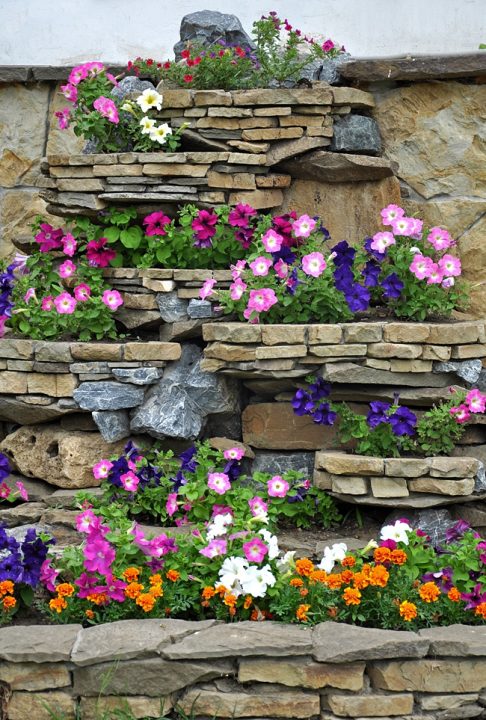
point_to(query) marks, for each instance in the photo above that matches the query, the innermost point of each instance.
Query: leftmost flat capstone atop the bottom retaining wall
(37, 643)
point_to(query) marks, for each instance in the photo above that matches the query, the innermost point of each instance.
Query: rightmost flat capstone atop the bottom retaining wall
(456, 640)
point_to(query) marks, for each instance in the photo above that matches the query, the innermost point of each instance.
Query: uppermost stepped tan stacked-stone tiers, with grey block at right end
(231, 144)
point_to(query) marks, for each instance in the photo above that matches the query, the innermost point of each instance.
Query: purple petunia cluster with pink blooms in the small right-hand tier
(390, 428)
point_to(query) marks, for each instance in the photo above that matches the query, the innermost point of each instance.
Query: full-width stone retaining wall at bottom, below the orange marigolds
(243, 670)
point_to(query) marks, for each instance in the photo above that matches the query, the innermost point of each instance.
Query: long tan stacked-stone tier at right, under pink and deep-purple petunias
(365, 353)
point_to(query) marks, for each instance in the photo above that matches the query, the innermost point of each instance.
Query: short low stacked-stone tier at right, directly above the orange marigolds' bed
(402, 482)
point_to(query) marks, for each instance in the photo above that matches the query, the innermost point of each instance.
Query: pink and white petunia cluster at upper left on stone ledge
(97, 114)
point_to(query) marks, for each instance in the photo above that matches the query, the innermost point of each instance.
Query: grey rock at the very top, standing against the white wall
(207, 27)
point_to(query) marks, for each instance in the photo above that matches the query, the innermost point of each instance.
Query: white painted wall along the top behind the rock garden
(58, 32)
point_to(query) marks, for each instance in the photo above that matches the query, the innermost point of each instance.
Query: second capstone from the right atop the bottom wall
(337, 642)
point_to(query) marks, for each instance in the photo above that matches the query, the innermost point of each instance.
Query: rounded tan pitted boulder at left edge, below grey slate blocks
(57, 456)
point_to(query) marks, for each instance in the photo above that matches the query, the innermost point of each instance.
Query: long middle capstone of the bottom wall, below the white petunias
(241, 640)
